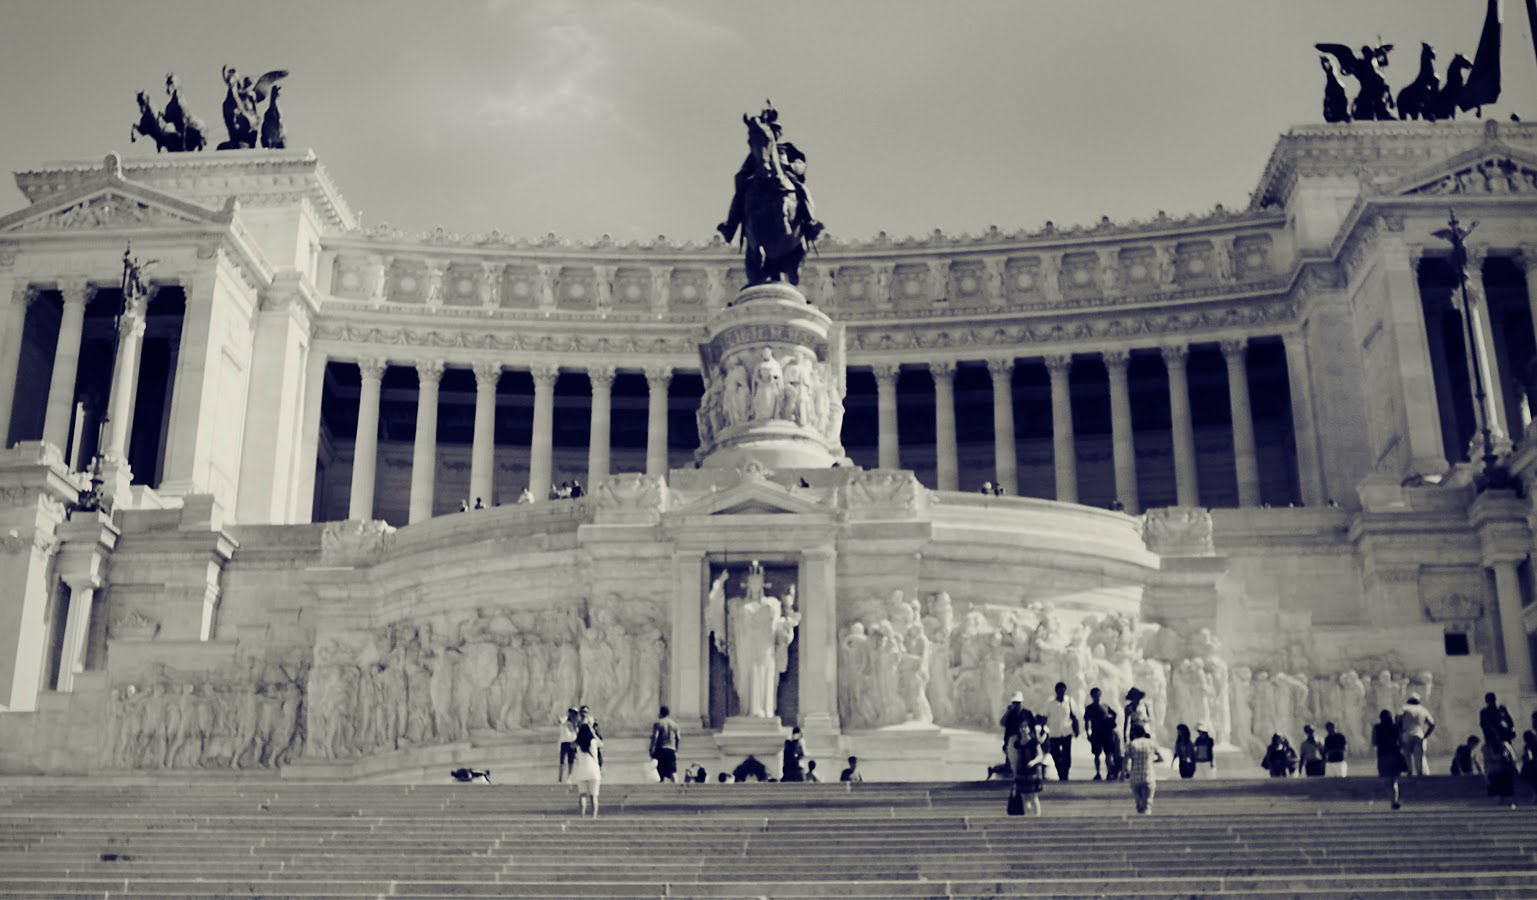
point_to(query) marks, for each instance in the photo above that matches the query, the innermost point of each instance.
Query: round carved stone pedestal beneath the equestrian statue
(774, 383)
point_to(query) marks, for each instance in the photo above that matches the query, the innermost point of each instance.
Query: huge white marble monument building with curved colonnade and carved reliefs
(1226, 462)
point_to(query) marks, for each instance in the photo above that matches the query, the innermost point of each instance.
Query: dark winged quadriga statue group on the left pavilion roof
(178, 131)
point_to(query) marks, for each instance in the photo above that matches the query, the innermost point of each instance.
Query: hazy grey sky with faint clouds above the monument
(585, 117)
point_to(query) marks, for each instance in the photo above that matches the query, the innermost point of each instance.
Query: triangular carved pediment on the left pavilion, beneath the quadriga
(110, 203)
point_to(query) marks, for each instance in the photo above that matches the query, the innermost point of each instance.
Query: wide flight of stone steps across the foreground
(1209, 839)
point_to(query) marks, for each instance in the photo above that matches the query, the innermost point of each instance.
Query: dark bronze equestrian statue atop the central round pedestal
(772, 205)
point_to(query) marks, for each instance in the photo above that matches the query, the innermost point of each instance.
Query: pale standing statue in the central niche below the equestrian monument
(755, 634)
